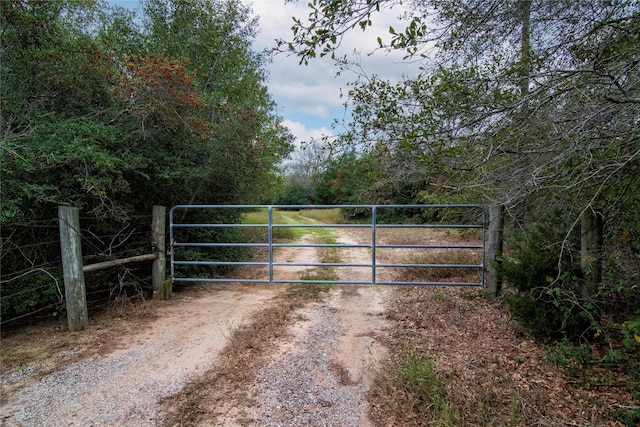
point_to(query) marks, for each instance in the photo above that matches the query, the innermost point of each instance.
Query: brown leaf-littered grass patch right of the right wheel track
(491, 374)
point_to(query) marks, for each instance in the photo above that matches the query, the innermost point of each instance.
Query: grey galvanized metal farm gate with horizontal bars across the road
(373, 247)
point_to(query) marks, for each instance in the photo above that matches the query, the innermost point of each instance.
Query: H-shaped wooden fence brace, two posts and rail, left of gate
(73, 270)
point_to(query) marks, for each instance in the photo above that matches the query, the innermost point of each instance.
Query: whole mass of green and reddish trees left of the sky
(114, 111)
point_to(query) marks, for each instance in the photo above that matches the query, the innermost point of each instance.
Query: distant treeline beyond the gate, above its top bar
(374, 175)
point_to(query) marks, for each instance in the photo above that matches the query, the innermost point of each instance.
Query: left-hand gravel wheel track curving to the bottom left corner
(125, 386)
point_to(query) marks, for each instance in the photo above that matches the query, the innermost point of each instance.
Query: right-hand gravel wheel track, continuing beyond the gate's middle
(322, 371)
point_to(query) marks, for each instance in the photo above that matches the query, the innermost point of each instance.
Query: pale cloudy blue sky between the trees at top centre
(308, 97)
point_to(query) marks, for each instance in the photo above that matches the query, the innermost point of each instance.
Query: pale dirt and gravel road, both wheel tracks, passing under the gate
(126, 386)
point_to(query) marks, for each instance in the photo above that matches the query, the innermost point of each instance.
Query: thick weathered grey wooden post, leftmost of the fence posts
(71, 247)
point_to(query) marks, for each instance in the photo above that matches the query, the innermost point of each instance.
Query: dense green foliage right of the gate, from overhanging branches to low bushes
(530, 104)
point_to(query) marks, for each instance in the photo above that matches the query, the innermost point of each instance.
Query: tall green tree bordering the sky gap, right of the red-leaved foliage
(249, 142)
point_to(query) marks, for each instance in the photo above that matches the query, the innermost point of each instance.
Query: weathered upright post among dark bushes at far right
(591, 251)
